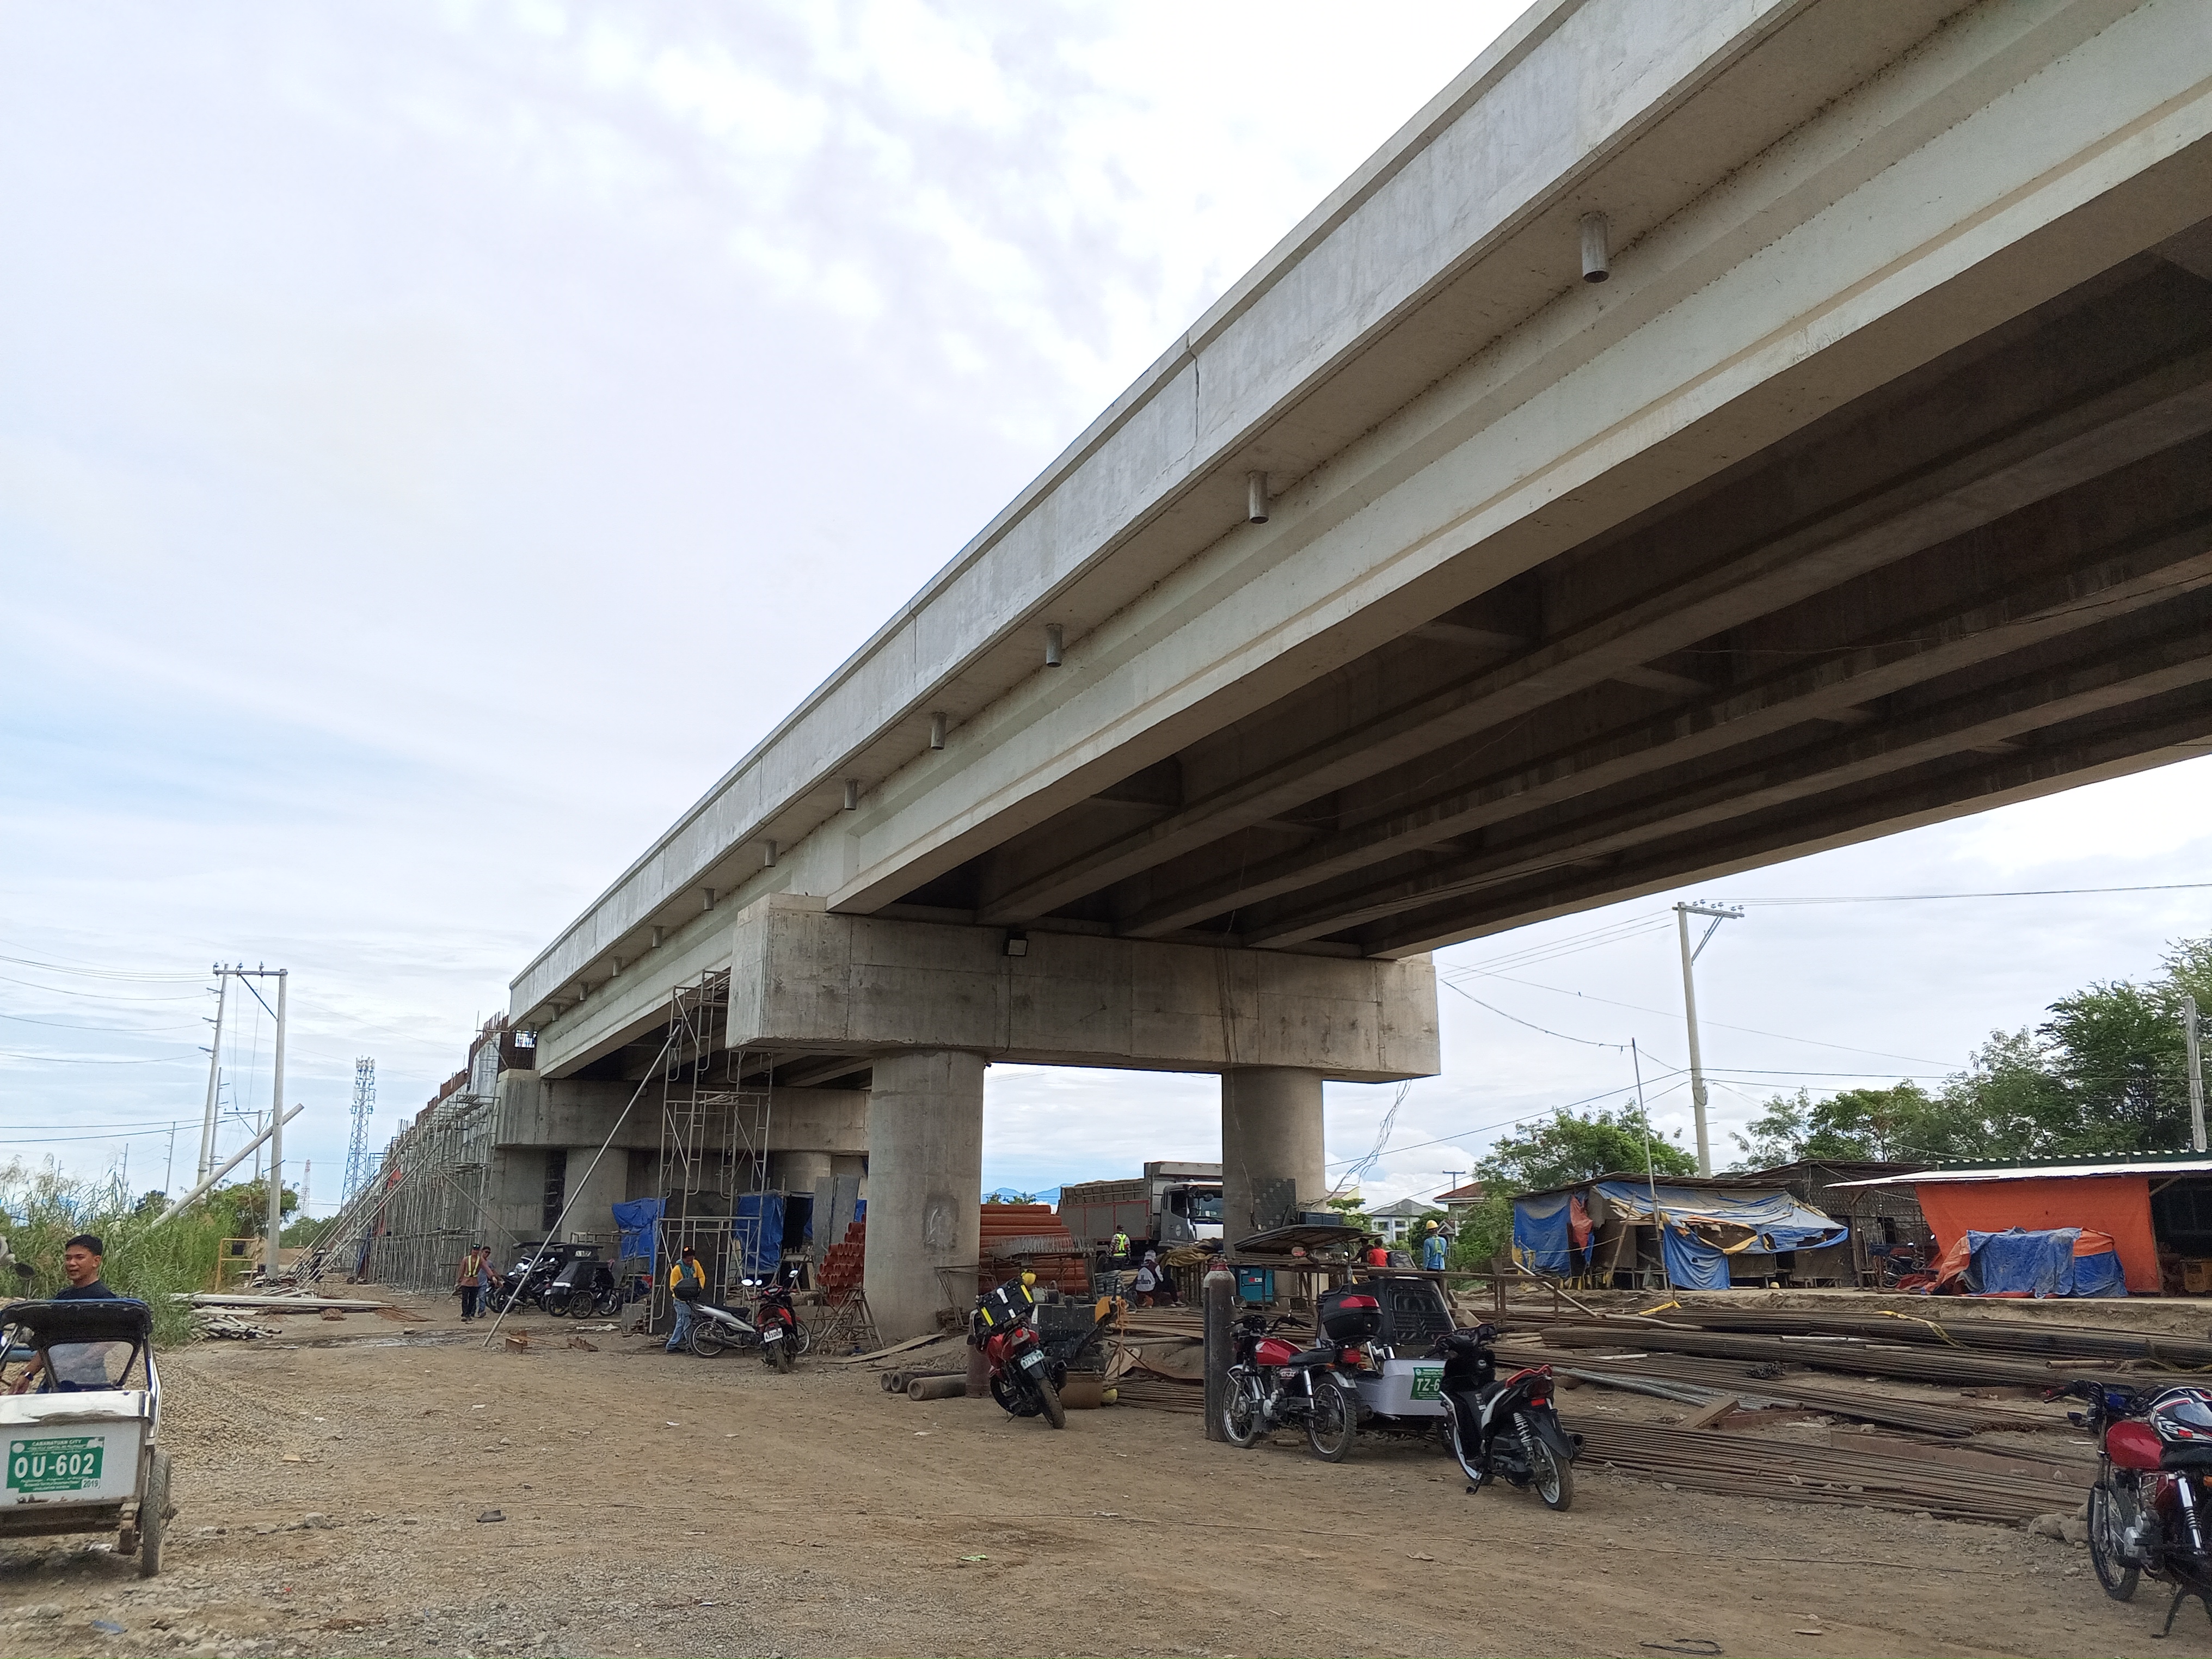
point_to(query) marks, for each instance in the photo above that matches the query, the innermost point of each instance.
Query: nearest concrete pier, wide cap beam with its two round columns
(930, 1005)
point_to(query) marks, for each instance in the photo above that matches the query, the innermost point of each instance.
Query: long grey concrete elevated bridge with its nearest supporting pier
(1709, 432)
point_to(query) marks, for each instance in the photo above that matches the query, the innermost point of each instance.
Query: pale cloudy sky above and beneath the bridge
(439, 439)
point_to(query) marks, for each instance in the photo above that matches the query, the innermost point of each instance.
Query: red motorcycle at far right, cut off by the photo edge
(2151, 1510)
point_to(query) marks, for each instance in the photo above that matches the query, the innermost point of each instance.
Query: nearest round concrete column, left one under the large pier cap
(926, 1187)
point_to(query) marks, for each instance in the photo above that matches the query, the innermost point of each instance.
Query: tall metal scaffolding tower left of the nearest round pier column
(713, 1169)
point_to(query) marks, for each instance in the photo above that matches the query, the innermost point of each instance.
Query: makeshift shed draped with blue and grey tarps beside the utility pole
(1687, 1233)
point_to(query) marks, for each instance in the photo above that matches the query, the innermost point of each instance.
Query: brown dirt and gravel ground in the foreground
(707, 1507)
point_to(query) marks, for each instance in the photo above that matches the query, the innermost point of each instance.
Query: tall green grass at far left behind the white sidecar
(41, 1211)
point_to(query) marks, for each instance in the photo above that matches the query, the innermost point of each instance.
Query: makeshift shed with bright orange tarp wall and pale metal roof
(2158, 1209)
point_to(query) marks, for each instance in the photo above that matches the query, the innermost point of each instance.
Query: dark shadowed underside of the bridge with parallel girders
(1981, 583)
